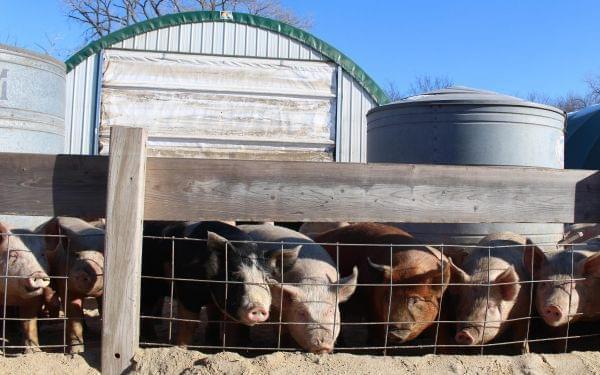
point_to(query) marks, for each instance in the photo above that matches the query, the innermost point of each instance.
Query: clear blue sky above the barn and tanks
(510, 46)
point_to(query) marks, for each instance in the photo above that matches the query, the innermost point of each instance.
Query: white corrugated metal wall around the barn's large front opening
(216, 38)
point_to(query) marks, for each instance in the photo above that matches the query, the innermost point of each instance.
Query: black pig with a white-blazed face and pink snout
(226, 254)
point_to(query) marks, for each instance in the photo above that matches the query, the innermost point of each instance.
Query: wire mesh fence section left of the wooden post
(40, 311)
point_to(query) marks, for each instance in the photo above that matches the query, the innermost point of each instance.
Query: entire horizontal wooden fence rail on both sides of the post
(195, 189)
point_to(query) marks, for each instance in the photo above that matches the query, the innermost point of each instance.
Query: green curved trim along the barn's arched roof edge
(177, 19)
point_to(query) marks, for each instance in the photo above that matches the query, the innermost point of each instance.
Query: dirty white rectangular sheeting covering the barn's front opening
(217, 107)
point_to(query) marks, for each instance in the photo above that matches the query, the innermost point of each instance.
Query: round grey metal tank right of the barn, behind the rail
(464, 126)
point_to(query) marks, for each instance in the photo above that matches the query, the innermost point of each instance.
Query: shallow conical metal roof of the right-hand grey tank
(464, 96)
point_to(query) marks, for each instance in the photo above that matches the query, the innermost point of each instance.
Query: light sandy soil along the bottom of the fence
(180, 361)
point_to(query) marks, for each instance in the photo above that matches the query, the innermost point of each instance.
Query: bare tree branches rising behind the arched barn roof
(101, 17)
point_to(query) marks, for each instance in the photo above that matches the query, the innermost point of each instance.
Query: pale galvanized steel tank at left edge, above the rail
(32, 102)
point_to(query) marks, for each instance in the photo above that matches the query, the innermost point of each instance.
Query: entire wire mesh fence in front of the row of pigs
(406, 298)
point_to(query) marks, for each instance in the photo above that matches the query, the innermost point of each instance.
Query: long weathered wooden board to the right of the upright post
(264, 191)
